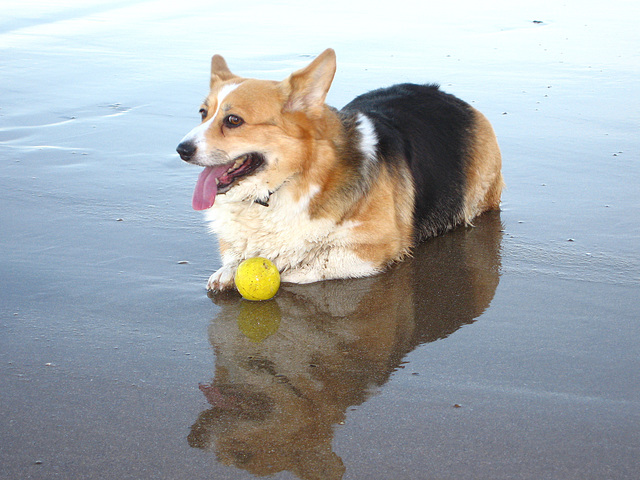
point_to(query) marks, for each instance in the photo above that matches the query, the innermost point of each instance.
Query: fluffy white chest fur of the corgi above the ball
(304, 249)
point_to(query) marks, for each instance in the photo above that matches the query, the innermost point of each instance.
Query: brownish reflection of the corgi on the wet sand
(287, 370)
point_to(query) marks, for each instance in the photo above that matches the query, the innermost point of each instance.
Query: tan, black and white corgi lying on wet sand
(327, 194)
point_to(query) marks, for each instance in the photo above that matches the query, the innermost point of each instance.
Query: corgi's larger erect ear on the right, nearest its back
(308, 88)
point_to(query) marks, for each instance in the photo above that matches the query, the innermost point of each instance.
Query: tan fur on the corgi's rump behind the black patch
(484, 180)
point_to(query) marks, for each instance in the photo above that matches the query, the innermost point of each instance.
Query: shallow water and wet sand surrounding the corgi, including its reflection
(505, 351)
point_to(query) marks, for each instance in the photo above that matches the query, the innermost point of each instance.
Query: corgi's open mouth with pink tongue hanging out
(220, 179)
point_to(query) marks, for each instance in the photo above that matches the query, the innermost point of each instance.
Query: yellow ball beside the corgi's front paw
(257, 279)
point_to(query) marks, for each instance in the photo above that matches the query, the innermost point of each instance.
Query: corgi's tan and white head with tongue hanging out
(256, 135)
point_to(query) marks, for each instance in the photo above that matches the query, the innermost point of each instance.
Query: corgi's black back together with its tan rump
(443, 141)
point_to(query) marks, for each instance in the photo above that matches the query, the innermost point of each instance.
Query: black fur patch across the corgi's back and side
(430, 131)
